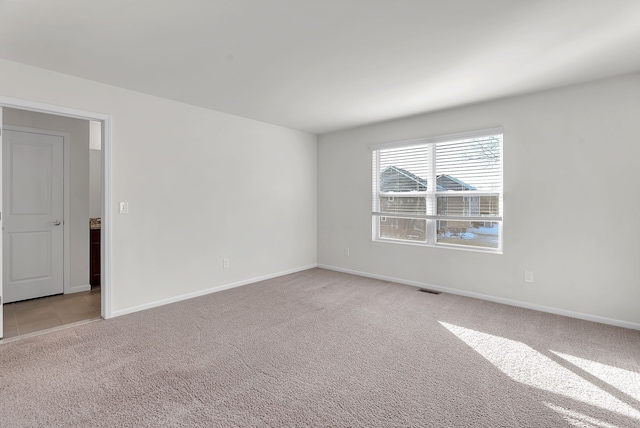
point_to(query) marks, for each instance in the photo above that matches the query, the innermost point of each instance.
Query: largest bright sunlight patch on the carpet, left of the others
(526, 365)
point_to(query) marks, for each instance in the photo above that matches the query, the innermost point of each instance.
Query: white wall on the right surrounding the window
(571, 202)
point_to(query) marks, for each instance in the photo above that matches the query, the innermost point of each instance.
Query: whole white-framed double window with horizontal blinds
(444, 191)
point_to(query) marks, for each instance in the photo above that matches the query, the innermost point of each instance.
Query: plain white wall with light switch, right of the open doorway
(201, 185)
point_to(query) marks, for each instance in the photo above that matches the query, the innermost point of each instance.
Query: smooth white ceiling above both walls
(324, 65)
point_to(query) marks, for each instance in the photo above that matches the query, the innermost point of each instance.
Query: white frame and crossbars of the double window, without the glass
(431, 217)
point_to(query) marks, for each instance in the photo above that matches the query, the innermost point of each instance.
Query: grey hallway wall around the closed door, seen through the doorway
(79, 186)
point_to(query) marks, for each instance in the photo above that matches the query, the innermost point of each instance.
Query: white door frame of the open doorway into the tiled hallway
(106, 120)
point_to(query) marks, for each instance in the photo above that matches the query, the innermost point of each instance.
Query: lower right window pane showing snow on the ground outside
(470, 233)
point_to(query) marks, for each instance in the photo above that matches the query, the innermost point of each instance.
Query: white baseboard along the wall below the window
(517, 303)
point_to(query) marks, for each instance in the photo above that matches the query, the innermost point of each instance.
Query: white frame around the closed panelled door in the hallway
(66, 203)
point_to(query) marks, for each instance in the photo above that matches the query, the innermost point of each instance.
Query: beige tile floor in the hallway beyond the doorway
(47, 312)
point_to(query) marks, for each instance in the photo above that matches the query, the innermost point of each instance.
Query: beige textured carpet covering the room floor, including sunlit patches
(320, 348)
